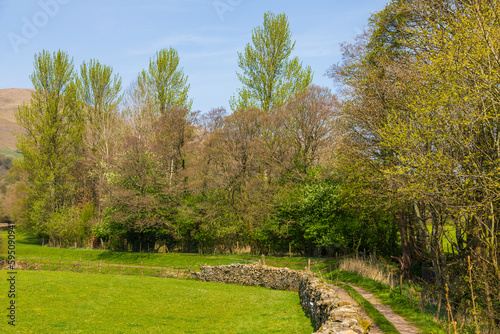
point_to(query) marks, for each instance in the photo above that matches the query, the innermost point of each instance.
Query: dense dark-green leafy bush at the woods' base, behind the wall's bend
(316, 218)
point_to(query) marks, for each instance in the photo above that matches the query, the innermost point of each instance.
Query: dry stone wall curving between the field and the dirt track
(327, 312)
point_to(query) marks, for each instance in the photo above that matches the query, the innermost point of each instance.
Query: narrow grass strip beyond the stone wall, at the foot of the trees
(30, 248)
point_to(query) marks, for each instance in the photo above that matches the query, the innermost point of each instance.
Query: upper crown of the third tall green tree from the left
(166, 81)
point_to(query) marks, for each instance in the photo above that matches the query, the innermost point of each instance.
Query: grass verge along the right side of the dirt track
(400, 305)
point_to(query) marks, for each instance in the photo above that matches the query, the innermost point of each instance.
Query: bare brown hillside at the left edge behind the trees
(10, 99)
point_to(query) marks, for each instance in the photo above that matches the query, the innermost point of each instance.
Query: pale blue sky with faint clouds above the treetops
(208, 34)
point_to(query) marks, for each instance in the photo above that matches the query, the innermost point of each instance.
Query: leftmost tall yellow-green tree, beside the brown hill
(53, 139)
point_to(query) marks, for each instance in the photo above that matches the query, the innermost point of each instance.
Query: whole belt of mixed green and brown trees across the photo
(403, 160)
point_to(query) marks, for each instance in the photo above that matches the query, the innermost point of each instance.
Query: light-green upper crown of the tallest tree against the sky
(269, 77)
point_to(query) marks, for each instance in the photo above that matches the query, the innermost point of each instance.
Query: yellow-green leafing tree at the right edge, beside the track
(447, 151)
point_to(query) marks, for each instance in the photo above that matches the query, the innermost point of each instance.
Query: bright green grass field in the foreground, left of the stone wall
(62, 302)
